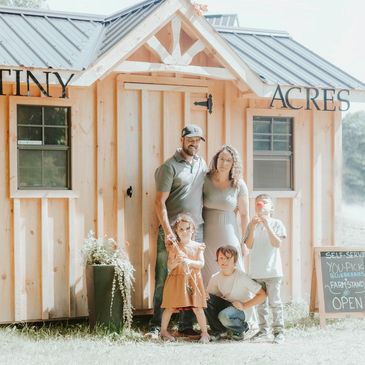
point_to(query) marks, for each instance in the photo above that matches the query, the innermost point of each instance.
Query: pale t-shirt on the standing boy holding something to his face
(264, 259)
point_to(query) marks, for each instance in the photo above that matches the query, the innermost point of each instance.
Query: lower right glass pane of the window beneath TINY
(55, 169)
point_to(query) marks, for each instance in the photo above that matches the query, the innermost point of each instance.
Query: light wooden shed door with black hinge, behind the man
(150, 119)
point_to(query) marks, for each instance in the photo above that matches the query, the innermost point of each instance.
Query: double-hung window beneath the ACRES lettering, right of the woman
(272, 153)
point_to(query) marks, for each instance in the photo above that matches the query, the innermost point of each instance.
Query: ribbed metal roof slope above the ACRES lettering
(279, 59)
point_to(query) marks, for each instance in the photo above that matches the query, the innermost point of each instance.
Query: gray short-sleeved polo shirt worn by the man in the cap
(184, 182)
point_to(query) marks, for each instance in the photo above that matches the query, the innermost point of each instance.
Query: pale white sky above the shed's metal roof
(334, 29)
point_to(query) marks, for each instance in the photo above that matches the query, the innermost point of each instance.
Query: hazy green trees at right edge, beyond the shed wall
(353, 139)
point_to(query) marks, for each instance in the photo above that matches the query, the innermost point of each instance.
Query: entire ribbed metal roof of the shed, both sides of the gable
(68, 41)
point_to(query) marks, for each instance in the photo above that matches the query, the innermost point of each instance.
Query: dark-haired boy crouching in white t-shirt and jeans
(228, 292)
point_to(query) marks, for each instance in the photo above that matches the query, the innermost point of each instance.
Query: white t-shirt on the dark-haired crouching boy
(237, 286)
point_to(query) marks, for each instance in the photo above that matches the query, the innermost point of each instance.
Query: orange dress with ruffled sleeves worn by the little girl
(184, 287)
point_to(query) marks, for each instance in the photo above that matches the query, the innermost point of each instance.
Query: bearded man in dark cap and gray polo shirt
(179, 189)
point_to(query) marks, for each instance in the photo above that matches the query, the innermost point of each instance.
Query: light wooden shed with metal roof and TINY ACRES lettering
(91, 105)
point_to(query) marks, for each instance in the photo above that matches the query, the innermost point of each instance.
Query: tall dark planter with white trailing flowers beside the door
(109, 279)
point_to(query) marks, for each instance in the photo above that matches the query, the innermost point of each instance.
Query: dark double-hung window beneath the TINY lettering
(44, 147)
